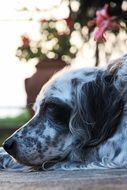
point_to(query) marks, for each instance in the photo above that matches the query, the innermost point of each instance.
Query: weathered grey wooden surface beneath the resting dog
(65, 180)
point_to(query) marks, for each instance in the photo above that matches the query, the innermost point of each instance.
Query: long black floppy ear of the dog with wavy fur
(97, 112)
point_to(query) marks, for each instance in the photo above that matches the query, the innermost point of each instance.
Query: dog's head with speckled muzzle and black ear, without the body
(75, 110)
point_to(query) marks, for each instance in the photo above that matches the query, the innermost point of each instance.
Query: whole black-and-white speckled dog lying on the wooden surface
(80, 122)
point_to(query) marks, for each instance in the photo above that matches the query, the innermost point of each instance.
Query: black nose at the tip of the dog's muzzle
(10, 146)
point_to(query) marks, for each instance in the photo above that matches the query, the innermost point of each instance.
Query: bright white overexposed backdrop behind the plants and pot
(12, 72)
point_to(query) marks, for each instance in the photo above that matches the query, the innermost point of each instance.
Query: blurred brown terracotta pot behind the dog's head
(44, 70)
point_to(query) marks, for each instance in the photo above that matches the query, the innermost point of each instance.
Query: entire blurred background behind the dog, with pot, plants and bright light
(38, 38)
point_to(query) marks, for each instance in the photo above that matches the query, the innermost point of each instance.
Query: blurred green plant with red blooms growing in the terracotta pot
(53, 43)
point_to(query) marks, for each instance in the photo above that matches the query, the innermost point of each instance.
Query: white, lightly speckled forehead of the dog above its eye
(60, 85)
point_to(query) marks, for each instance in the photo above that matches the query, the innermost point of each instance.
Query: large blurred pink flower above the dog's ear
(104, 22)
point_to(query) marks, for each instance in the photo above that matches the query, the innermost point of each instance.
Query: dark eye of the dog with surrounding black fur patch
(59, 113)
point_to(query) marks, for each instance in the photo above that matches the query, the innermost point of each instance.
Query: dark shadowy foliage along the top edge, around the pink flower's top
(87, 10)
